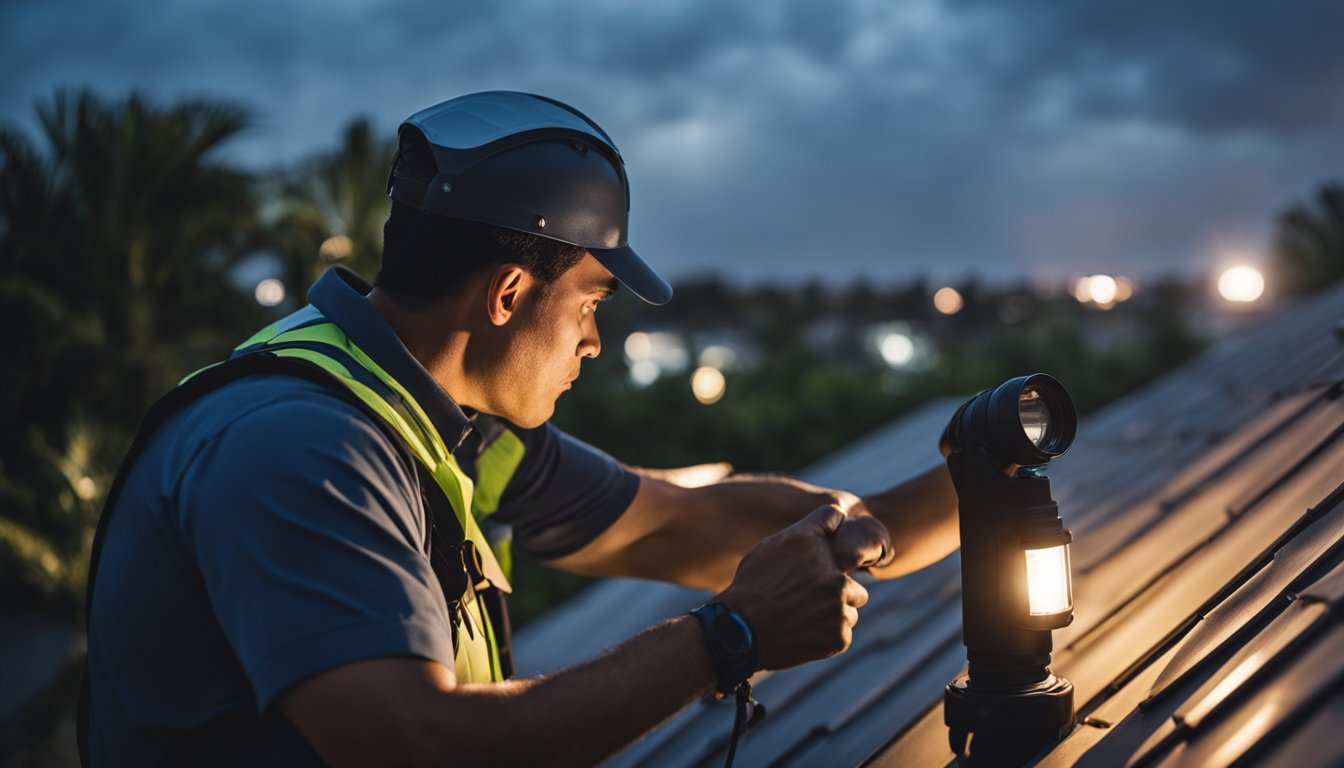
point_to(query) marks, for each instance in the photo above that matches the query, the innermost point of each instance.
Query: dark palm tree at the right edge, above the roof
(1310, 243)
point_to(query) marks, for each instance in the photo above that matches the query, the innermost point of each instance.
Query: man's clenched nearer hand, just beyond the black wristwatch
(795, 591)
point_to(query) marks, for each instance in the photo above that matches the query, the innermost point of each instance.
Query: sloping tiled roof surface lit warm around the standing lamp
(1209, 523)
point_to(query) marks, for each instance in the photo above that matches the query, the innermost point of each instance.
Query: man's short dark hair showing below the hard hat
(427, 258)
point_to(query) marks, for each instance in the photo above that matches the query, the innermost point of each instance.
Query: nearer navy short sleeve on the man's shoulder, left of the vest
(310, 537)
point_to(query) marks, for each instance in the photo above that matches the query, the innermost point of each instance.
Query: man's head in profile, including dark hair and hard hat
(521, 201)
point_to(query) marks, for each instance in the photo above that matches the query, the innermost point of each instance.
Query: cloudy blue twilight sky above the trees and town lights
(786, 139)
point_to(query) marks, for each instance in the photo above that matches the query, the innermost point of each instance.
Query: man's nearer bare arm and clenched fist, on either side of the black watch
(792, 590)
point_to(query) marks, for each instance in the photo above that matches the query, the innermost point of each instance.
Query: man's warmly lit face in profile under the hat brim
(553, 329)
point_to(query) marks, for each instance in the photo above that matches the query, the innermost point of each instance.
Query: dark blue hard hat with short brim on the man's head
(526, 163)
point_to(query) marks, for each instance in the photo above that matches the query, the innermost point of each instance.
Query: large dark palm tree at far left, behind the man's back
(118, 233)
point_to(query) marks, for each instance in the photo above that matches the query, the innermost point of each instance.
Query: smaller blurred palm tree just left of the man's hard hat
(333, 208)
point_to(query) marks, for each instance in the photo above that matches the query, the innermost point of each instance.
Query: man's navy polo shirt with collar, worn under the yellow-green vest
(271, 532)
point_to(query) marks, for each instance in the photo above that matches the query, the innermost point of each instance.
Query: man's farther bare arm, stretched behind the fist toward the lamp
(696, 537)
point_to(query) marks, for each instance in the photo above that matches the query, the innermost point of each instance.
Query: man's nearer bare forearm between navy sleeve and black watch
(411, 712)
